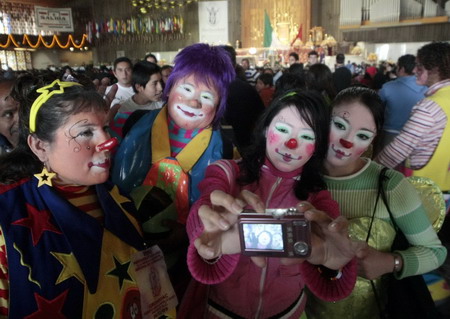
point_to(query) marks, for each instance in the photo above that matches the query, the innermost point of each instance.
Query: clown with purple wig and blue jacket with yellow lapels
(164, 156)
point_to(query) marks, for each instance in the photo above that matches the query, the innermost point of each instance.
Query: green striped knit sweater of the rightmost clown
(356, 196)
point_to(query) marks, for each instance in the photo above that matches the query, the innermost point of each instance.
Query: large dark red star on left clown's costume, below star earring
(38, 221)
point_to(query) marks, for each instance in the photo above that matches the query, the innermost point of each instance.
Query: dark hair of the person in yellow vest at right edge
(436, 55)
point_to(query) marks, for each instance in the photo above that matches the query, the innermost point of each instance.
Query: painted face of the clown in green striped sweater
(352, 131)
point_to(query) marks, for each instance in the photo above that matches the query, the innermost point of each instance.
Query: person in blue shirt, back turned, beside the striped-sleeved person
(399, 97)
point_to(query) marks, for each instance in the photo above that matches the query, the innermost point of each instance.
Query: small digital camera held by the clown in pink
(278, 232)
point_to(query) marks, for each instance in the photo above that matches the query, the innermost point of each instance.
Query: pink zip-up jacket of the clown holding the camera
(236, 285)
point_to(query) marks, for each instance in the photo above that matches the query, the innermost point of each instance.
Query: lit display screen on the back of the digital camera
(263, 236)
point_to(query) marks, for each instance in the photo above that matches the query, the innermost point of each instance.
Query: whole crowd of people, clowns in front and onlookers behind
(121, 190)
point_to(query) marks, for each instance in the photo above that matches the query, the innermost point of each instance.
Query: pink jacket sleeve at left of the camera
(219, 176)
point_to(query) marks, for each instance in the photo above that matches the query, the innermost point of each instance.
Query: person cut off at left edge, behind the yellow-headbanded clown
(9, 117)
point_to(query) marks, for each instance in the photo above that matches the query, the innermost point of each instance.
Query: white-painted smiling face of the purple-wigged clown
(192, 104)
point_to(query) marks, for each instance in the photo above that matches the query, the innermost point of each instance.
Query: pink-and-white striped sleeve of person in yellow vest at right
(418, 138)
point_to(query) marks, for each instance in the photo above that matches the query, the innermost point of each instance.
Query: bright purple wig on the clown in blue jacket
(211, 66)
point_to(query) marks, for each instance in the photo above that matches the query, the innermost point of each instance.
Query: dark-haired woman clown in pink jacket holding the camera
(281, 170)
